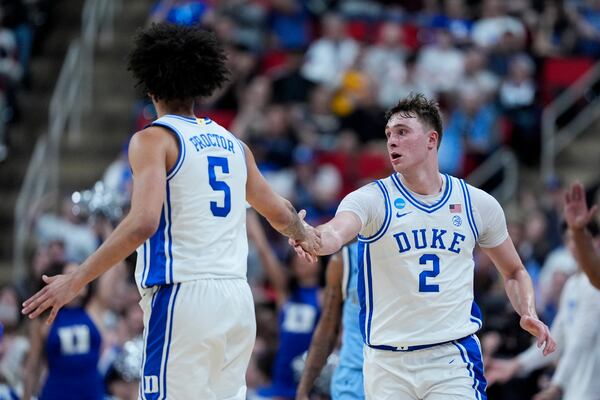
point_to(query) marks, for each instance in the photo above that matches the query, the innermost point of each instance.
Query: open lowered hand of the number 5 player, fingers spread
(59, 290)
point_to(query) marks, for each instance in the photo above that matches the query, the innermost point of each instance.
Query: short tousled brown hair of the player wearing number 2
(417, 105)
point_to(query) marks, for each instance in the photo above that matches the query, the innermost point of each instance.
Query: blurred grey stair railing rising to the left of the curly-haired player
(72, 96)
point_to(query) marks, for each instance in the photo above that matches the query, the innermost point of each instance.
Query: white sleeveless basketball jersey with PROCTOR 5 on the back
(202, 231)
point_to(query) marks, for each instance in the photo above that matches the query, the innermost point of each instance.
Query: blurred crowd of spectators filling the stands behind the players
(310, 83)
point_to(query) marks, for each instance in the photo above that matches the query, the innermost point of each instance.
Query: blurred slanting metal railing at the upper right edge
(555, 139)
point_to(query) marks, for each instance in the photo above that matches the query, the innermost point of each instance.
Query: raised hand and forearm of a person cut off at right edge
(578, 216)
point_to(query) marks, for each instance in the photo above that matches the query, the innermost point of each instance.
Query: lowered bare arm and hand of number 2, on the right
(520, 292)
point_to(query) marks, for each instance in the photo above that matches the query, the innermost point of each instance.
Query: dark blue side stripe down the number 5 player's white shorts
(156, 339)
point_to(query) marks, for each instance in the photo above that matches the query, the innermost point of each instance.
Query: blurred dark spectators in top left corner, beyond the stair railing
(22, 23)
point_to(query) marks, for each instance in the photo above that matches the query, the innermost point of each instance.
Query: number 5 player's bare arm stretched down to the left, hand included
(147, 155)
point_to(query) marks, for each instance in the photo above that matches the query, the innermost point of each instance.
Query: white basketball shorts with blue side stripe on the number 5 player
(198, 338)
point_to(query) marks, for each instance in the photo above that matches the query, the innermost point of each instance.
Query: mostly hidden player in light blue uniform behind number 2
(341, 288)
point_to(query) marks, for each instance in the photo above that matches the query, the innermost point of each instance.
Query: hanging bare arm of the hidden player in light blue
(326, 333)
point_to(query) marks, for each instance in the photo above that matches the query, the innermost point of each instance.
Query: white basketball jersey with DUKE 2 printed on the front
(416, 283)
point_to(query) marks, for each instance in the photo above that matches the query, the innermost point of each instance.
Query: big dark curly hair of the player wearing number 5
(173, 62)
